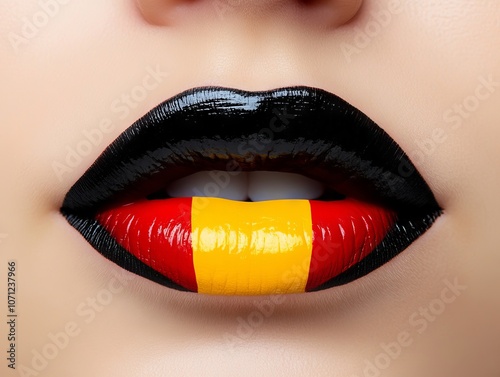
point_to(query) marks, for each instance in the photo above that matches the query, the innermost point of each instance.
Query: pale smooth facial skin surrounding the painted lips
(422, 76)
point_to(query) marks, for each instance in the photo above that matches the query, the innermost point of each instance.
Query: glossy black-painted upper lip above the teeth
(298, 129)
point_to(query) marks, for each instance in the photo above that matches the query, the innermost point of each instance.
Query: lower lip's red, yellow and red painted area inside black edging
(224, 247)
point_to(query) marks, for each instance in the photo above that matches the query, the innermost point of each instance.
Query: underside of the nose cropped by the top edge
(317, 12)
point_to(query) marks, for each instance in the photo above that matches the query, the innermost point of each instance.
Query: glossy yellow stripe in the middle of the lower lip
(244, 248)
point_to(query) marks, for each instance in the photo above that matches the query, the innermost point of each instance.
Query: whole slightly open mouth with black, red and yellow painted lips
(228, 192)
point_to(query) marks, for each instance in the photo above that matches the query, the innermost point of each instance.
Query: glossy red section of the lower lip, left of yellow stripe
(158, 233)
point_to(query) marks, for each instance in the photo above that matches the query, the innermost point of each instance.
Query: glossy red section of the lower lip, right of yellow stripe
(344, 233)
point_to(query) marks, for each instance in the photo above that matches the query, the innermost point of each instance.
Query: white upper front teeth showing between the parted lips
(256, 186)
